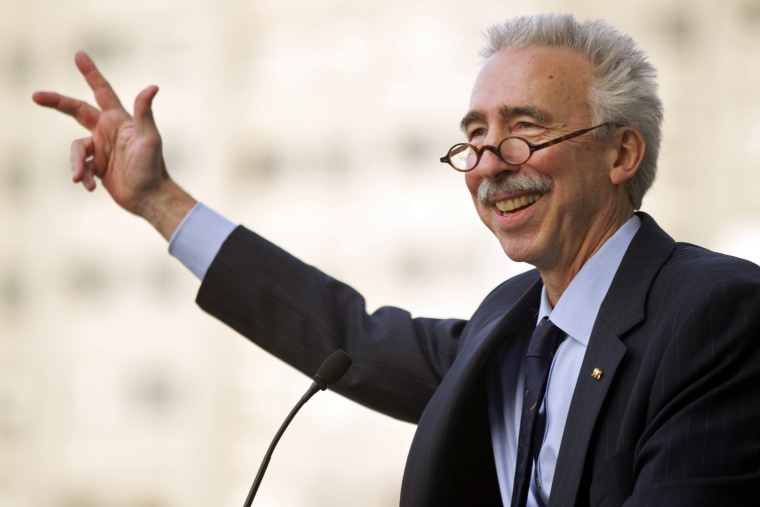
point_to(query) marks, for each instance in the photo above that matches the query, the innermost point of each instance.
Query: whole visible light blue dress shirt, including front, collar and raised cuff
(201, 234)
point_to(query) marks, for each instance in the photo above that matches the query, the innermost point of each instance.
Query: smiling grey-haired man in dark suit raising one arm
(653, 397)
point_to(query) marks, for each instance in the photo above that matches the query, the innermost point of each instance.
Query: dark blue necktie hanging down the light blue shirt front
(538, 360)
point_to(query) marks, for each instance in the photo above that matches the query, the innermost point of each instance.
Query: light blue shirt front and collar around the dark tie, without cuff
(575, 314)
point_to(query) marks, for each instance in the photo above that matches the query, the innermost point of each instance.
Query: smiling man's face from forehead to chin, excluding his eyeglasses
(540, 94)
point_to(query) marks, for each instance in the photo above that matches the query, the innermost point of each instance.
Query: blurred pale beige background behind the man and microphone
(318, 124)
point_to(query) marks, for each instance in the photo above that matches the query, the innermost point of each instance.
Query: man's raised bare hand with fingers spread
(123, 151)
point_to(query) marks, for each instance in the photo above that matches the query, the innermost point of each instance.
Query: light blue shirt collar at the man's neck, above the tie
(579, 305)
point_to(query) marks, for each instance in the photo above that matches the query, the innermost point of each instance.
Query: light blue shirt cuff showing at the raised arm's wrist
(198, 239)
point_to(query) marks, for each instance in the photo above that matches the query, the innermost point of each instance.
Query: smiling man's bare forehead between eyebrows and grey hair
(552, 81)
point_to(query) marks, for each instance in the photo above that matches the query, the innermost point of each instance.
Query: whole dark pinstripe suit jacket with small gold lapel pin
(674, 418)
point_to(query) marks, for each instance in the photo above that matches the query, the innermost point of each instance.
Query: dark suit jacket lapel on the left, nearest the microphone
(451, 460)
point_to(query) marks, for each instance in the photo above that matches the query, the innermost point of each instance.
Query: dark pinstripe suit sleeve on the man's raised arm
(301, 315)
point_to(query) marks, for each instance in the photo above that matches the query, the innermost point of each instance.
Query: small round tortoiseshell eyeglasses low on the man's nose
(512, 150)
